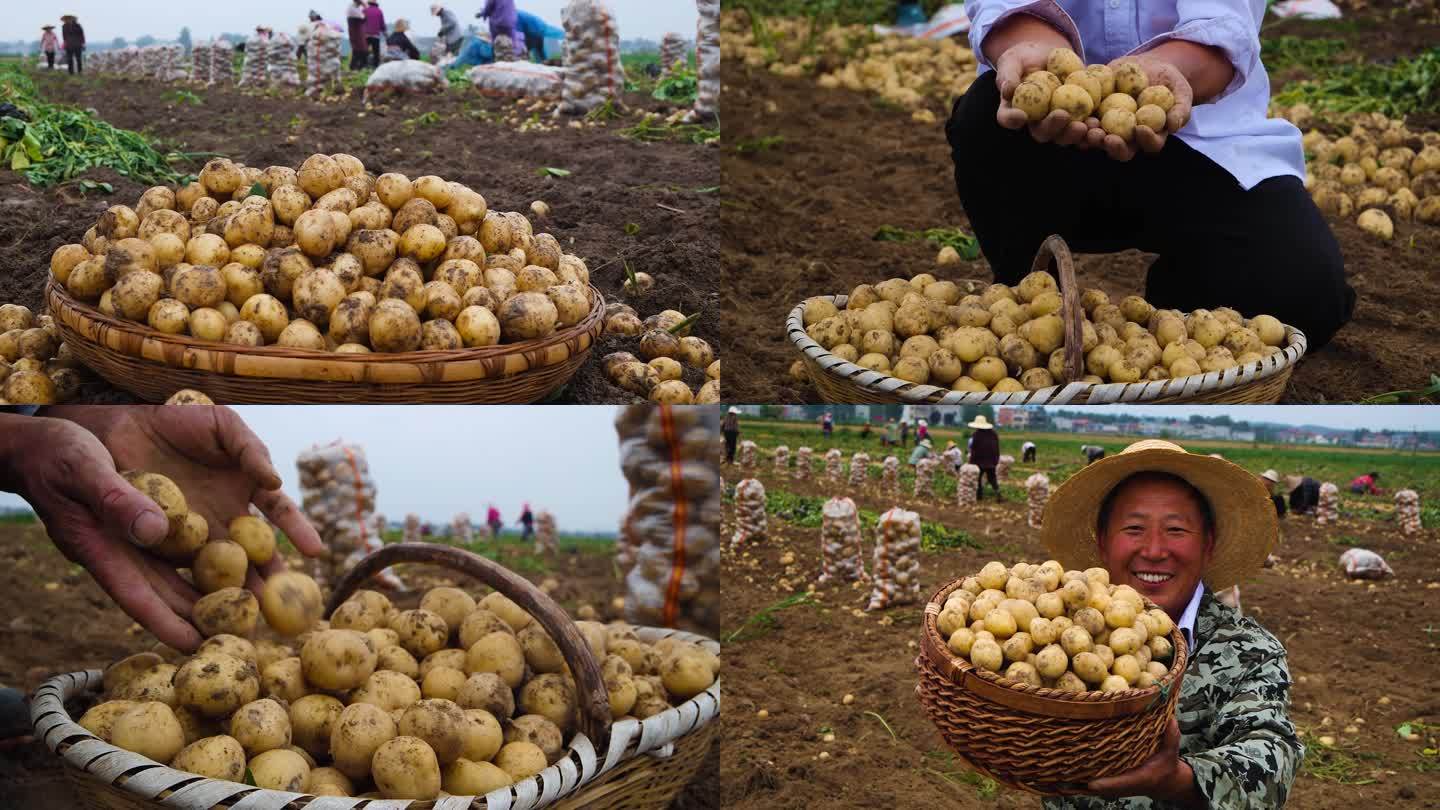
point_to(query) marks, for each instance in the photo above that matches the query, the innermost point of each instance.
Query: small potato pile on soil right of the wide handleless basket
(666, 347)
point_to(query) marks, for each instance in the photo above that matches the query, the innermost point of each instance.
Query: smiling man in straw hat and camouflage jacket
(1179, 527)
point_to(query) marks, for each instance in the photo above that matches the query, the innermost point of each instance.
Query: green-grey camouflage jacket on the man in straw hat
(1236, 731)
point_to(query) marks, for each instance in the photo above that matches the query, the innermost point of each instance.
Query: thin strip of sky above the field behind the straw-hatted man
(1351, 417)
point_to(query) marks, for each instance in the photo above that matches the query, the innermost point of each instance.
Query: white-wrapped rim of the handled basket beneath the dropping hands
(646, 737)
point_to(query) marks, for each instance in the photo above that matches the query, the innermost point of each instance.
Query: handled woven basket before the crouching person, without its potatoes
(839, 381)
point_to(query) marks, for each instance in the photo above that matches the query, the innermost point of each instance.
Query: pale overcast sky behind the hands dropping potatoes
(441, 460)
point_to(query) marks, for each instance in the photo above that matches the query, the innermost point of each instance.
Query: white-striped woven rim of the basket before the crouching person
(879, 384)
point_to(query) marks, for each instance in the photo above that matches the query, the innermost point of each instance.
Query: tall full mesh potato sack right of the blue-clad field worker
(593, 57)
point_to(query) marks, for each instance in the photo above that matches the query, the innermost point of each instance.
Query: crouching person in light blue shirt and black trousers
(1222, 202)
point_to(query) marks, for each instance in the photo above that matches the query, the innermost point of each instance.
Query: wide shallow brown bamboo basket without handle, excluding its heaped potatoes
(153, 365)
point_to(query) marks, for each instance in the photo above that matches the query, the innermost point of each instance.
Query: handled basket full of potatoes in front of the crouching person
(925, 341)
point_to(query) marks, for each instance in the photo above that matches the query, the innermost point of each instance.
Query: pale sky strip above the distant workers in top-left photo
(107, 19)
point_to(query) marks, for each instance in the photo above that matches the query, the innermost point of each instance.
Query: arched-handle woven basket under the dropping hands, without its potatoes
(623, 766)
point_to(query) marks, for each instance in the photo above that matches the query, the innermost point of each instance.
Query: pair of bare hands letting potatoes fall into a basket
(66, 463)
